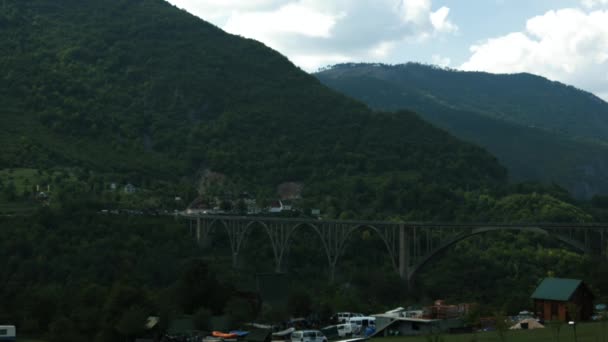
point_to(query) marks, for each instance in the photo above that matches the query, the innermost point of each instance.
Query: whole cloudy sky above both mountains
(563, 40)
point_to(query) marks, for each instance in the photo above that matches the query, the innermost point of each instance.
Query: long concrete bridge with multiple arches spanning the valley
(409, 245)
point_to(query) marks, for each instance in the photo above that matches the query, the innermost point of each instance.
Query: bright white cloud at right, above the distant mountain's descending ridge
(568, 45)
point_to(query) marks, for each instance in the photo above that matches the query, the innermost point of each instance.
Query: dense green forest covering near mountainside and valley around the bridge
(97, 93)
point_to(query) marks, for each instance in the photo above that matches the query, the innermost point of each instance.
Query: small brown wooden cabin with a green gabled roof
(554, 296)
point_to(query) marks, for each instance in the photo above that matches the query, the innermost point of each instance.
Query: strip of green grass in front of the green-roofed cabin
(588, 332)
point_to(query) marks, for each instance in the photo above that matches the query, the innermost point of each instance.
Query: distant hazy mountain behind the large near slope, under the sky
(541, 130)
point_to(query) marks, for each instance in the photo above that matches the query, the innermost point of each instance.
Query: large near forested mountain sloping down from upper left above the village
(142, 88)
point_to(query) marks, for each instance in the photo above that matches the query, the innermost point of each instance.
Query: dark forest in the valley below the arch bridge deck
(74, 275)
